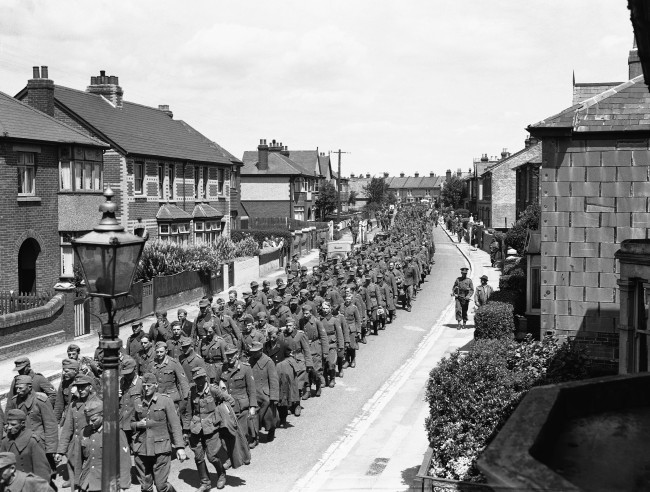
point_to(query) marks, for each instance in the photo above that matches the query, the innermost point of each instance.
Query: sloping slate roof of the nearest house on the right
(621, 108)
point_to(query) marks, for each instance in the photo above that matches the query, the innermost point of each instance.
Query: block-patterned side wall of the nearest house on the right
(594, 195)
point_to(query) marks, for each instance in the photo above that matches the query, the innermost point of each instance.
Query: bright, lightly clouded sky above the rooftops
(402, 86)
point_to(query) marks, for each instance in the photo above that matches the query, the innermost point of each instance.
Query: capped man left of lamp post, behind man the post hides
(73, 425)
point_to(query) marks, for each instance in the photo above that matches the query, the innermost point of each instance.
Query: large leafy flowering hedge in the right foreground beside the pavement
(471, 396)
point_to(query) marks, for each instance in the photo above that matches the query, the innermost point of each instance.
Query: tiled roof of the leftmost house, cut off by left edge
(21, 121)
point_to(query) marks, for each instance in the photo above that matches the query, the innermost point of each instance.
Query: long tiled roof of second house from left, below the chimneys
(140, 130)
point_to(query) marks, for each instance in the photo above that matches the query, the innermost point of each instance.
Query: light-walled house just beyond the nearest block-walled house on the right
(497, 208)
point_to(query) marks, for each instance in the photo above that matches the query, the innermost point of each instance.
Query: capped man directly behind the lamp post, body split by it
(91, 451)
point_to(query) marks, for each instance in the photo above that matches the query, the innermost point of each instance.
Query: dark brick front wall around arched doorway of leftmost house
(21, 220)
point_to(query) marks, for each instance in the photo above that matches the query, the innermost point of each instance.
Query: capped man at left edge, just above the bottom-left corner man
(28, 448)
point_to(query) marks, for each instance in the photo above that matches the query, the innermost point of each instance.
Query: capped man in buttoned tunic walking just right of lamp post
(157, 431)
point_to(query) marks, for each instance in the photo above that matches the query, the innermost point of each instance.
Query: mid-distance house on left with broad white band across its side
(276, 182)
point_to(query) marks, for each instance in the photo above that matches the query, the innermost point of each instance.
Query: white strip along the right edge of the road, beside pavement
(339, 449)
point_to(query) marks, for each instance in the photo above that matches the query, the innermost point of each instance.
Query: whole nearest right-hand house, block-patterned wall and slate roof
(595, 183)
